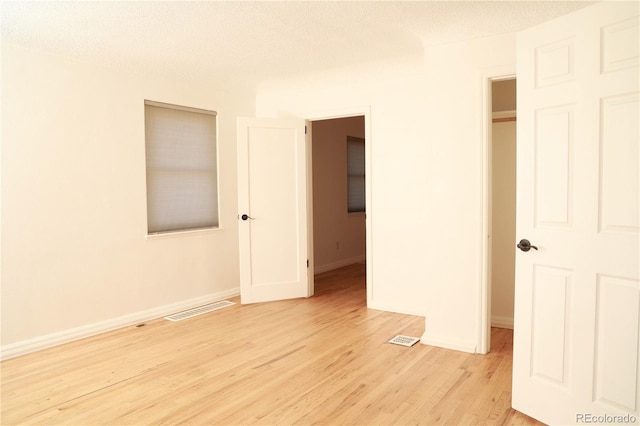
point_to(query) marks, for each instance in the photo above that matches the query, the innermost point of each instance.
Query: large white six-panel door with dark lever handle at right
(577, 302)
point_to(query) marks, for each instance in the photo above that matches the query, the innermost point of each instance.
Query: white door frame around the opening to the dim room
(330, 114)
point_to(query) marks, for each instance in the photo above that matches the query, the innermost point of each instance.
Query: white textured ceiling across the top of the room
(253, 41)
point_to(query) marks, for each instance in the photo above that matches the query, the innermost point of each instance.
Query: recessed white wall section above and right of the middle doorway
(398, 151)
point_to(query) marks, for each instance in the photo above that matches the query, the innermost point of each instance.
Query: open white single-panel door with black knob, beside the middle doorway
(272, 209)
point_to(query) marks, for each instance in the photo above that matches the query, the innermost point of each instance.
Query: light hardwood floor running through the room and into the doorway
(323, 360)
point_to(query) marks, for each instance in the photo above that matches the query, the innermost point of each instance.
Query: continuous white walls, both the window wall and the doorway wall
(75, 259)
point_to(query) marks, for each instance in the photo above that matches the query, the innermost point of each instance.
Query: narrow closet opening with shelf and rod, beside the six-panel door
(501, 205)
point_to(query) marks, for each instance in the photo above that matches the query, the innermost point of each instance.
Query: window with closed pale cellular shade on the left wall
(182, 172)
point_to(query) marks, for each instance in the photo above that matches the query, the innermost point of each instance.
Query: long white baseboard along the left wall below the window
(24, 347)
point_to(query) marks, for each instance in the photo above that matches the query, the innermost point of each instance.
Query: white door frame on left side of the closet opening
(489, 76)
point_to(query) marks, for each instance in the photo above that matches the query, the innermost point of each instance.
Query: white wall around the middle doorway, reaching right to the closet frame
(426, 161)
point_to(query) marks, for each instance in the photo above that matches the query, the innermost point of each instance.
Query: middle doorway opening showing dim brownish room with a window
(338, 179)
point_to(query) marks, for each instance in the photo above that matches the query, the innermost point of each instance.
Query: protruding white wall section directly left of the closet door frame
(457, 115)
